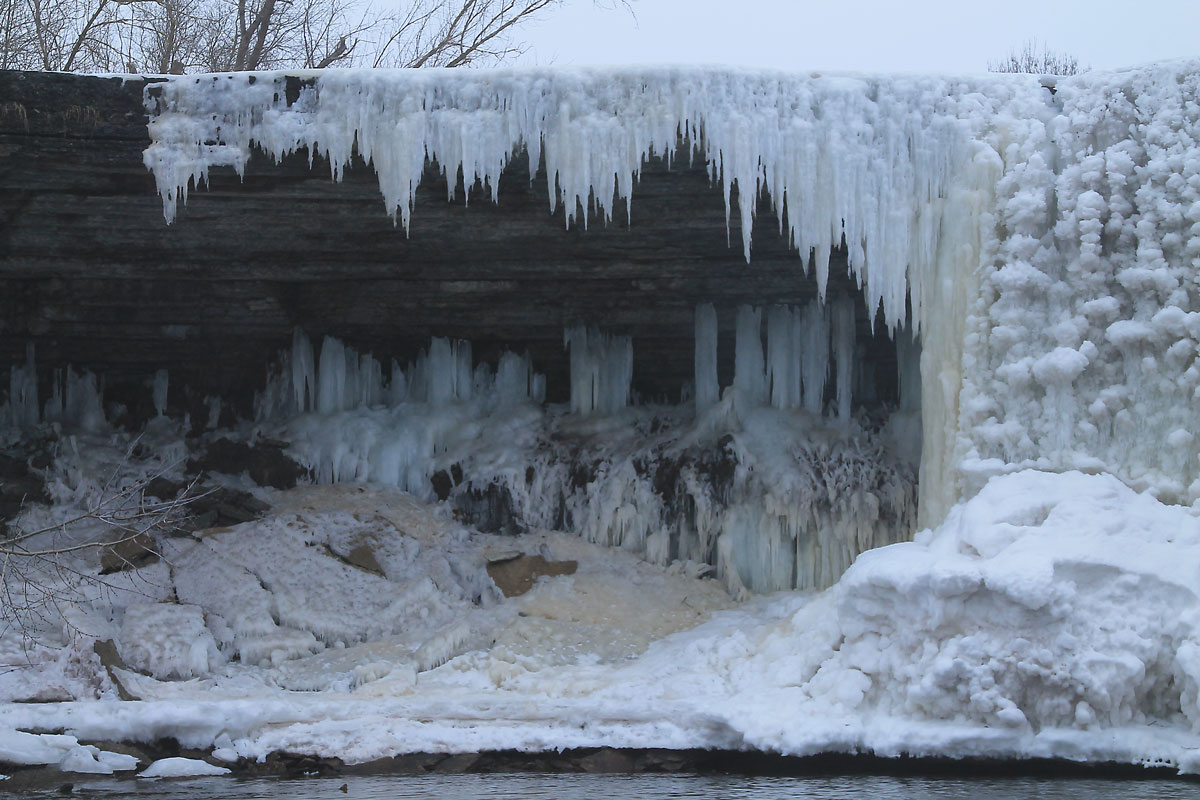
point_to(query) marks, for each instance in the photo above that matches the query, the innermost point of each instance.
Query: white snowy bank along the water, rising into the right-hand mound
(1053, 616)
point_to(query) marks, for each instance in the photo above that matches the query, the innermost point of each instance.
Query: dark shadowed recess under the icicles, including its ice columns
(635, 381)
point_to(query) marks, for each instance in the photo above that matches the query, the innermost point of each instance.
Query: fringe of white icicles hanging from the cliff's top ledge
(868, 159)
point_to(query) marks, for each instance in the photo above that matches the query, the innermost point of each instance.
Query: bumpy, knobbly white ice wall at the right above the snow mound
(1084, 333)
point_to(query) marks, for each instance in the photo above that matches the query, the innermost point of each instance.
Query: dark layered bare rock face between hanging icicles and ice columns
(93, 276)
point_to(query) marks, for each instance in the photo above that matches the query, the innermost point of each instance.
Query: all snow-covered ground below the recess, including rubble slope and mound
(1053, 616)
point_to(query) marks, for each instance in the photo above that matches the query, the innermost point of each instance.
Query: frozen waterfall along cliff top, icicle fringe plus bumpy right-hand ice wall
(1035, 237)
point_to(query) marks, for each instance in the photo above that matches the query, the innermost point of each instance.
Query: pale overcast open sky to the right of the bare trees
(862, 35)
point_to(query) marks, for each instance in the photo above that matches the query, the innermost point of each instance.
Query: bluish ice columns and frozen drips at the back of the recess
(788, 502)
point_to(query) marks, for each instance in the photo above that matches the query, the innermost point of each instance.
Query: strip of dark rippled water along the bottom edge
(627, 787)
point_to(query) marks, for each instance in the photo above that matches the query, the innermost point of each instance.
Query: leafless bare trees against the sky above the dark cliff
(233, 35)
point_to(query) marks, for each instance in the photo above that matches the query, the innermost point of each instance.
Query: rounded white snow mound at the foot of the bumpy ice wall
(1049, 600)
